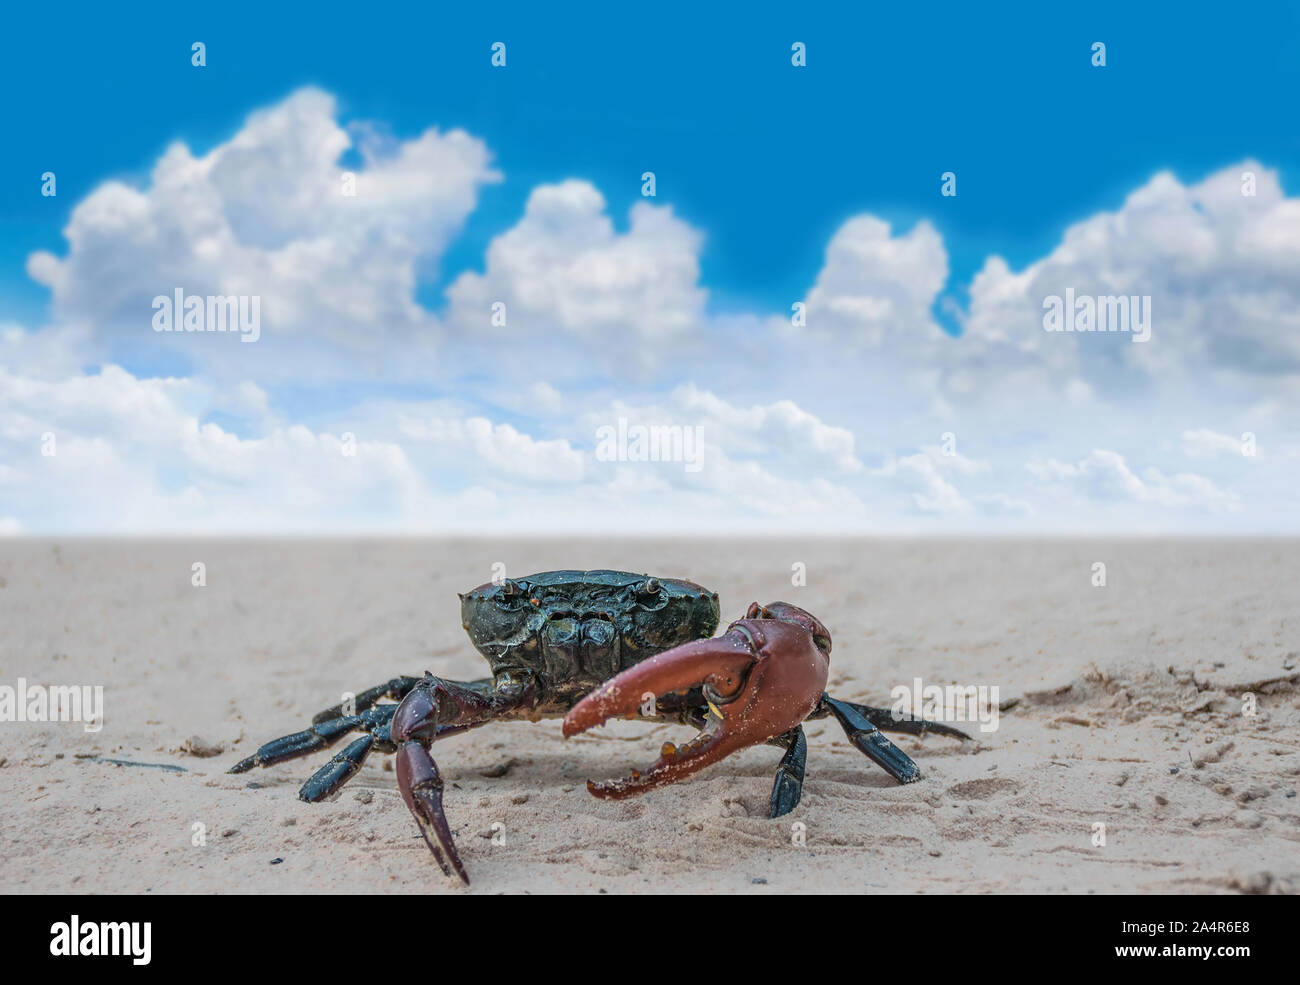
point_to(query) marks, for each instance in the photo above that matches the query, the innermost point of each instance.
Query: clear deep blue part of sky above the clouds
(769, 163)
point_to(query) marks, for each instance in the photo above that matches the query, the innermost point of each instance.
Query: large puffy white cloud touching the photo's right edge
(1219, 266)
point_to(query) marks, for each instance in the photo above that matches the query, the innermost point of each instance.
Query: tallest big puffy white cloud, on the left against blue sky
(267, 215)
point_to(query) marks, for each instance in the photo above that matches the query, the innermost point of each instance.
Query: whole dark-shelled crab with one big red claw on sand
(591, 646)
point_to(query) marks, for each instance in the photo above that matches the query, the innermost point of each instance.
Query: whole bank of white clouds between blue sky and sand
(361, 409)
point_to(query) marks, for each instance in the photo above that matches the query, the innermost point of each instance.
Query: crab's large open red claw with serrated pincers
(761, 679)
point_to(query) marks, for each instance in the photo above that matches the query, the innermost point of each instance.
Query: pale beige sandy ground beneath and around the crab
(1123, 706)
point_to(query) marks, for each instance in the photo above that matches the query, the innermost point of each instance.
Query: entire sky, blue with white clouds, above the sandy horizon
(818, 185)
